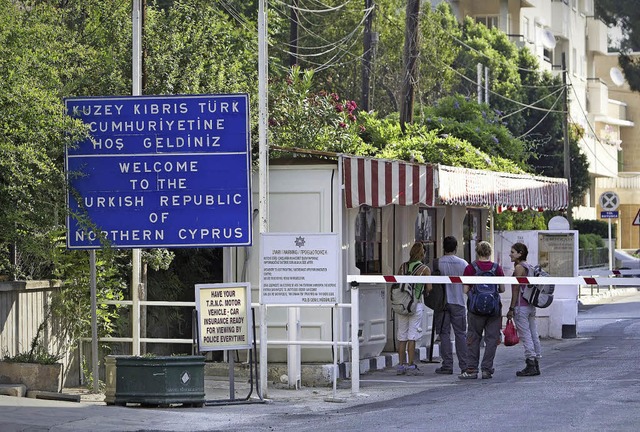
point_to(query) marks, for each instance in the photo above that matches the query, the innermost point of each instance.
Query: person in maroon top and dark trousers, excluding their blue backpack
(478, 324)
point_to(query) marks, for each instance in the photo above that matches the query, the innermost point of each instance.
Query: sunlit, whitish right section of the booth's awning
(466, 186)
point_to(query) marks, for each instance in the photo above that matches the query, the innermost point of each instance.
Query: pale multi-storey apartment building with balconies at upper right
(599, 100)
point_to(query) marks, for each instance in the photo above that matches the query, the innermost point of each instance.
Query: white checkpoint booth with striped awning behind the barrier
(378, 208)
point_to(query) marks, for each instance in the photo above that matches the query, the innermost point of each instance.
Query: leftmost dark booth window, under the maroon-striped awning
(369, 240)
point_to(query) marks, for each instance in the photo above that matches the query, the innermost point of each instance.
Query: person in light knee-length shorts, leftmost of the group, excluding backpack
(409, 327)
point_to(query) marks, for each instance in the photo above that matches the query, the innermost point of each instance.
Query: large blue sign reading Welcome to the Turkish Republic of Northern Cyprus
(160, 171)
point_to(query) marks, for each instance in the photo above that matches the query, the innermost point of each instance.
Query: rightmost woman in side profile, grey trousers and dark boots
(524, 313)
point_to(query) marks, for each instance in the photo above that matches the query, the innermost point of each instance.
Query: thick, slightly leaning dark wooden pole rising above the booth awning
(411, 53)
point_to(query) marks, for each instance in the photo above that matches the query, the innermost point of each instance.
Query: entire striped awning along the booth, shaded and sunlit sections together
(381, 182)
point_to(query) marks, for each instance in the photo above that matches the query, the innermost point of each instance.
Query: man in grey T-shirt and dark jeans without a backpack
(454, 313)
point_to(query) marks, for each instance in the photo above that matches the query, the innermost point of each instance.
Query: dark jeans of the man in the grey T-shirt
(453, 316)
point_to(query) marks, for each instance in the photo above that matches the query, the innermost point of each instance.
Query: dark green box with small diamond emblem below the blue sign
(155, 381)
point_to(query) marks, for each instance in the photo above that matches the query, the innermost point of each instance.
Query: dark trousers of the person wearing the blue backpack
(490, 327)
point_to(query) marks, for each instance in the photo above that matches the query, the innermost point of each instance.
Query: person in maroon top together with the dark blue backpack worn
(484, 313)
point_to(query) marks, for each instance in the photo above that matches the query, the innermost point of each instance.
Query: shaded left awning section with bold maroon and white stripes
(381, 182)
